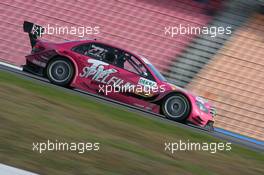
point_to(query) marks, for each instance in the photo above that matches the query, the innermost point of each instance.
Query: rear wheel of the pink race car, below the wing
(60, 71)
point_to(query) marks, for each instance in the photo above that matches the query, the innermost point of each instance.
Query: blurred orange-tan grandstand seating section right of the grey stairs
(233, 80)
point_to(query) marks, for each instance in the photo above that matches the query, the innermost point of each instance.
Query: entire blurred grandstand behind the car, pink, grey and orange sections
(227, 69)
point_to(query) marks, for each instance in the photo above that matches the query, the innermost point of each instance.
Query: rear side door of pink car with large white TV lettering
(93, 69)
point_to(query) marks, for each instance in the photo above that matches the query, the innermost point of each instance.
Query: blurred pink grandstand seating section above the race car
(134, 25)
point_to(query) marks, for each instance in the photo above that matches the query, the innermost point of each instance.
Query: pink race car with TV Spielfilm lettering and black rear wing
(115, 73)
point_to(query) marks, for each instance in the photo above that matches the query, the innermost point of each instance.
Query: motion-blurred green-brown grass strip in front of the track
(129, 143)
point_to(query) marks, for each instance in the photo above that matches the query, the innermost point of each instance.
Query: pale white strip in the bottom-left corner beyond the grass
(8, 170)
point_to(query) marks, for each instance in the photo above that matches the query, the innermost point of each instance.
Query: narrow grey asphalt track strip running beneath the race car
(148, 114)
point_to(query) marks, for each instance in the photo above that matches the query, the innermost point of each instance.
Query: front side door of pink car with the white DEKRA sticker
(131, 78)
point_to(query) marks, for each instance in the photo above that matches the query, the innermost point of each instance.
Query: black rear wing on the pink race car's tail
(34, 31)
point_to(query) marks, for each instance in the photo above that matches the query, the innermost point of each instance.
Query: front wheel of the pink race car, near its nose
(176, 107)
